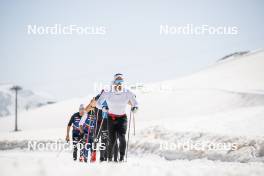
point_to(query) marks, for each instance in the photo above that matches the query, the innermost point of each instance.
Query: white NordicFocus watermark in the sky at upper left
(59, 29)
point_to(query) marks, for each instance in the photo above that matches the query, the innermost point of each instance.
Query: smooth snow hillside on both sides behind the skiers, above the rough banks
(223, 99)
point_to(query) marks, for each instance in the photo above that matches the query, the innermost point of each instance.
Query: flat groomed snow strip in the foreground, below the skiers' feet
(35, 163)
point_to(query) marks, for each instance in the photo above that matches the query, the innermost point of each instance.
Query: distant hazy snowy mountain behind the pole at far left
(27, 100)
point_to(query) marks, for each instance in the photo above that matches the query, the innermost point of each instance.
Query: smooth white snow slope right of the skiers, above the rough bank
(231, 93)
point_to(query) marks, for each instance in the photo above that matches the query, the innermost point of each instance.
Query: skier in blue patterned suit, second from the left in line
(87, 124)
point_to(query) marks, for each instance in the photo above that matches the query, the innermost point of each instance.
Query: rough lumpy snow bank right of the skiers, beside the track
(173, 145)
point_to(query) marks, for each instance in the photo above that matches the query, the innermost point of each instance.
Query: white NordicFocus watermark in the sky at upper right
(190, 29)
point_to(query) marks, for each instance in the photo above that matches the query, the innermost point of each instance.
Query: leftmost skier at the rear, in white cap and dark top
(76, 135)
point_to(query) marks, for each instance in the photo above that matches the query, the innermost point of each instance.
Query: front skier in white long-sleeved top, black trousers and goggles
(117, 99)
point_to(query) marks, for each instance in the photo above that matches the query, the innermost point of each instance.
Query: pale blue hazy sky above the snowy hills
(67, 65)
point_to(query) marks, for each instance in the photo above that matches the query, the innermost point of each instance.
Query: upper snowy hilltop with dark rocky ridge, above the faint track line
(242, 73)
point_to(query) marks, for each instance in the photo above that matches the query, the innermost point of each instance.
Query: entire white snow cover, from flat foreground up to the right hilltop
(221, 104)
